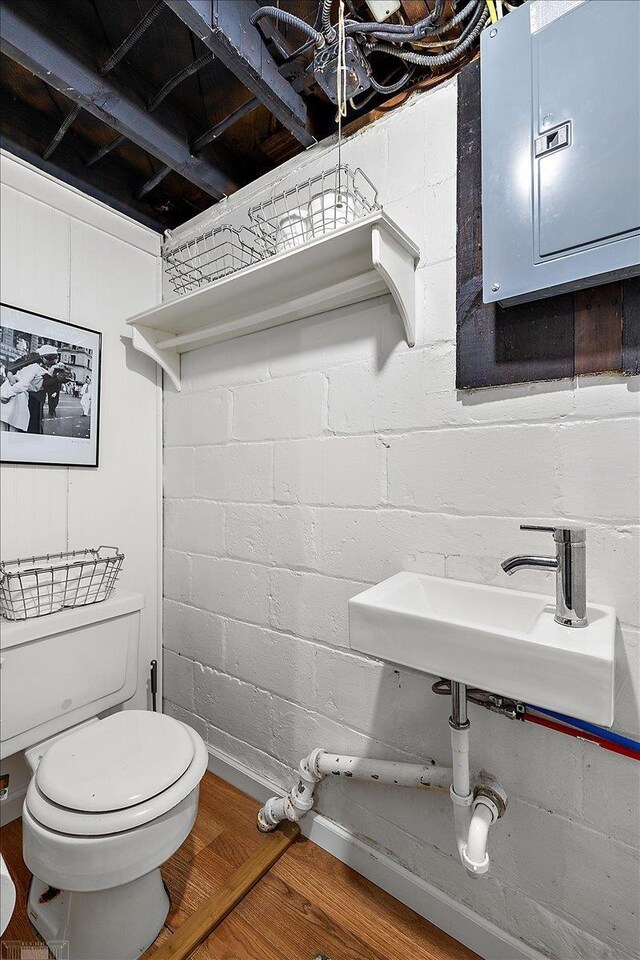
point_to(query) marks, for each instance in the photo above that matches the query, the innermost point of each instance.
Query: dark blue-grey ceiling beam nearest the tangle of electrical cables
(225, 27)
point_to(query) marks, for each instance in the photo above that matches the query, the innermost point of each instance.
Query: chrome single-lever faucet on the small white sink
(570, 564)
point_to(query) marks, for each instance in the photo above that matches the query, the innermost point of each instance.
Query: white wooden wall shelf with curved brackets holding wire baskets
(362, 260)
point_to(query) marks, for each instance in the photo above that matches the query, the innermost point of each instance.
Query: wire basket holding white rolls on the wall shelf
(331, 199)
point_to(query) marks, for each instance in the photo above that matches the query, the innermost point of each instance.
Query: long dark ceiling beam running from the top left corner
(24, 42)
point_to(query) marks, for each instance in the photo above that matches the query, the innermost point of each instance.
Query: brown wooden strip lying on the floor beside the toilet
(206, 918)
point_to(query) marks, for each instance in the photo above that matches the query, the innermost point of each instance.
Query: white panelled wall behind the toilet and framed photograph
(74, 259)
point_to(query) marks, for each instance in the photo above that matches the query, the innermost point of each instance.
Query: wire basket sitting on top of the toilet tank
(38, 586)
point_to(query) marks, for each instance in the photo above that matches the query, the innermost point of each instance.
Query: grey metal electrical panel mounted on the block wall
(560, 148)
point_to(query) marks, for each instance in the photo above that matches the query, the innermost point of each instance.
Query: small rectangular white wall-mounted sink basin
(490, 637)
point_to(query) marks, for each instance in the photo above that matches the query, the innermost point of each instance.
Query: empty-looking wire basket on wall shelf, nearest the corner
(211, 255)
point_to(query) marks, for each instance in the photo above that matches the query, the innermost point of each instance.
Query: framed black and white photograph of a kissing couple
(49, 390)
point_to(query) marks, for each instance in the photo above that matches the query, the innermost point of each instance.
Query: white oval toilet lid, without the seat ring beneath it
(121, 761)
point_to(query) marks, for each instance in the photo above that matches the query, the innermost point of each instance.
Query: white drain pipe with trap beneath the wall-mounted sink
(474, 810)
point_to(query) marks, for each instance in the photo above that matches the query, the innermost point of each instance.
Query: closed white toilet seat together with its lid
(148, 761)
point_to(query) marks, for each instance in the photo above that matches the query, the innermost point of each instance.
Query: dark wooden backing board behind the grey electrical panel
(596, 330)
